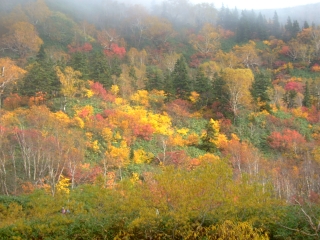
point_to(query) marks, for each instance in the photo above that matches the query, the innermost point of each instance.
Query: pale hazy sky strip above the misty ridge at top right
(256, 4)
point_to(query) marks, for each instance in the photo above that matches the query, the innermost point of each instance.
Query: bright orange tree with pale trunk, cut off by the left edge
(9, 74)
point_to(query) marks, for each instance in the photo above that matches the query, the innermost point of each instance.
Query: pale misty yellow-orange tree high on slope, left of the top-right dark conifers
(207, 41)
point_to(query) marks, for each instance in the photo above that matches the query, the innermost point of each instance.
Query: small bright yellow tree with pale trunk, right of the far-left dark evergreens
(71, 84)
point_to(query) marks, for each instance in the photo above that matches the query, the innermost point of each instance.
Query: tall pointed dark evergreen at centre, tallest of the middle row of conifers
(181, 80)
